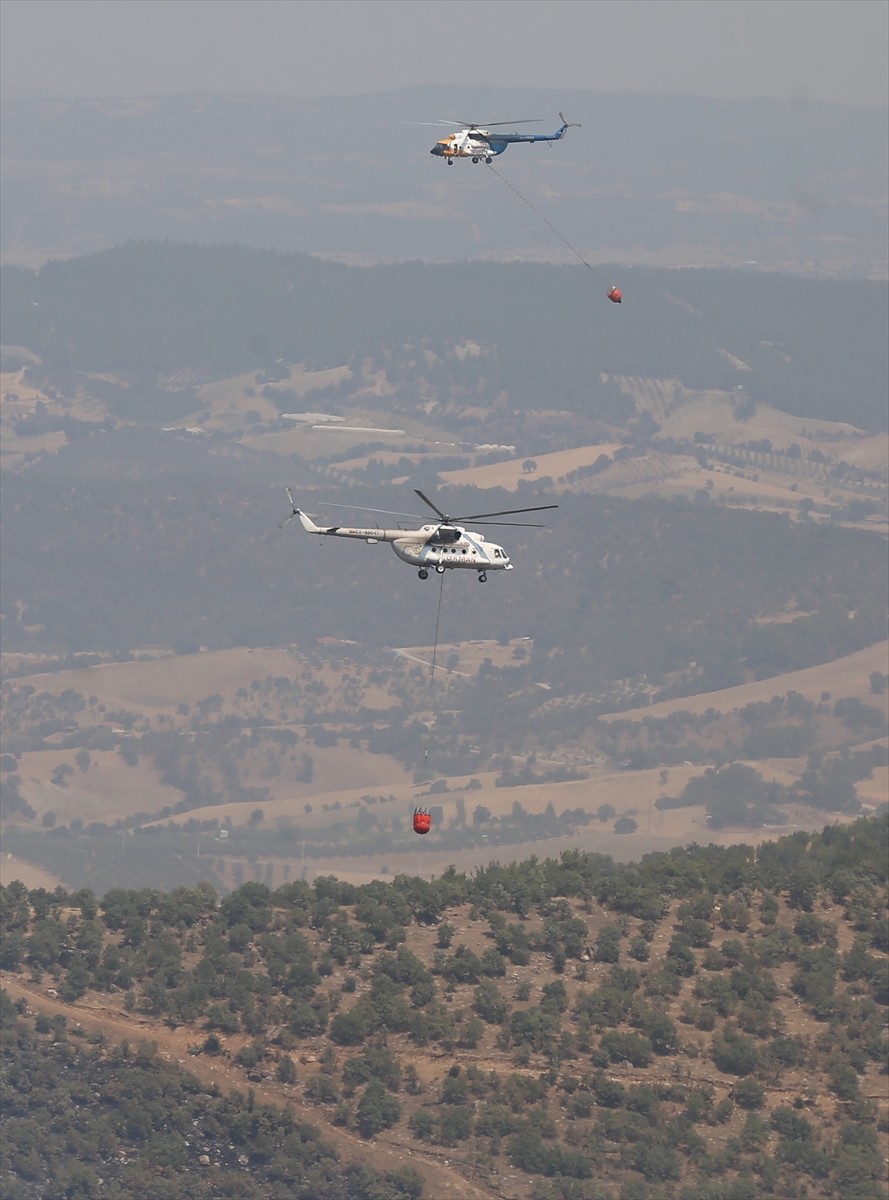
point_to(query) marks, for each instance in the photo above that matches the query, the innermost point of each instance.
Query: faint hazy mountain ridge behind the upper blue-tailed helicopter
(662, 182)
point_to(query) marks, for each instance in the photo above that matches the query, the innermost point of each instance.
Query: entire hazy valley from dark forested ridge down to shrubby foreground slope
(176, 665)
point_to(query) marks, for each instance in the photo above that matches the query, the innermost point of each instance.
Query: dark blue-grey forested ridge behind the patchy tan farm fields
(812, 347)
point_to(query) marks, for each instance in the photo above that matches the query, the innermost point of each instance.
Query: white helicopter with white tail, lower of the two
(443, 547)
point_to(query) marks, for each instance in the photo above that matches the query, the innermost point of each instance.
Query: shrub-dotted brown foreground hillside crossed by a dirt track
(552, 1030)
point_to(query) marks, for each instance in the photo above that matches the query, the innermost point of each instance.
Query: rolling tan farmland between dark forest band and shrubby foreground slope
(309, 760)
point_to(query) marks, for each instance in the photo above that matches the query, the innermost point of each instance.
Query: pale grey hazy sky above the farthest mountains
(818, 50)
